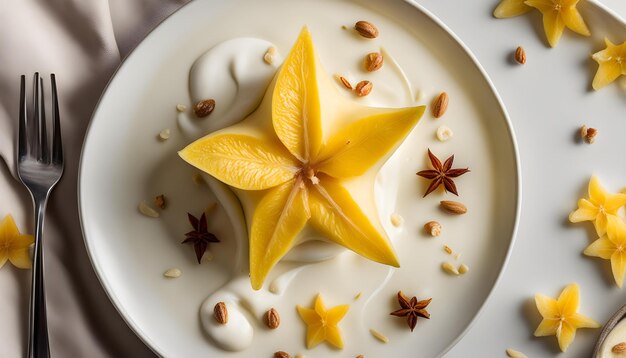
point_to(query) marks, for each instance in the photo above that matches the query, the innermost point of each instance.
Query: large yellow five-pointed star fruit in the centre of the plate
(289, 173)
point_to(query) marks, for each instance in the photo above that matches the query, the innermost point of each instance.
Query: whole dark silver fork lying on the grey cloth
(39, 167)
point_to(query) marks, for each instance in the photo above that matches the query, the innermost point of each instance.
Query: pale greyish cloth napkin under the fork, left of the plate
(82, 42)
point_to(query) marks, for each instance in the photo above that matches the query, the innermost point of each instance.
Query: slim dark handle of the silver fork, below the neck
(38, 345)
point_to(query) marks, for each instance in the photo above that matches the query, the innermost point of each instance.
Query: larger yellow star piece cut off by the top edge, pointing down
(558, 14)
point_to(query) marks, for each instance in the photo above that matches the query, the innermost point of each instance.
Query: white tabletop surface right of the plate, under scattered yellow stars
(547, 99)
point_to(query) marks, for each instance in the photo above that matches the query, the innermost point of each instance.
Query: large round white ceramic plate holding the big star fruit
(123, 163)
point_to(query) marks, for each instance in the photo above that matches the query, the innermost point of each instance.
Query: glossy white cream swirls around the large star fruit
(235, 75)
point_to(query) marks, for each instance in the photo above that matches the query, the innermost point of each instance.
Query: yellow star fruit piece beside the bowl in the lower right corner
(560, 316)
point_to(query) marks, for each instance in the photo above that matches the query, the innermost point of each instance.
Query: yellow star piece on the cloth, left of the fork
(14, 246)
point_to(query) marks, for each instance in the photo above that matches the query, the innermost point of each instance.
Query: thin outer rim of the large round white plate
(132, 324)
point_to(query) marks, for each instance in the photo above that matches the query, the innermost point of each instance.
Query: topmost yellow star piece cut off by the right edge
(612, 64)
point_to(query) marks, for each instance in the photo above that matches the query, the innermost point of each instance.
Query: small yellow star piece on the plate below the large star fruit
(322, 323)
